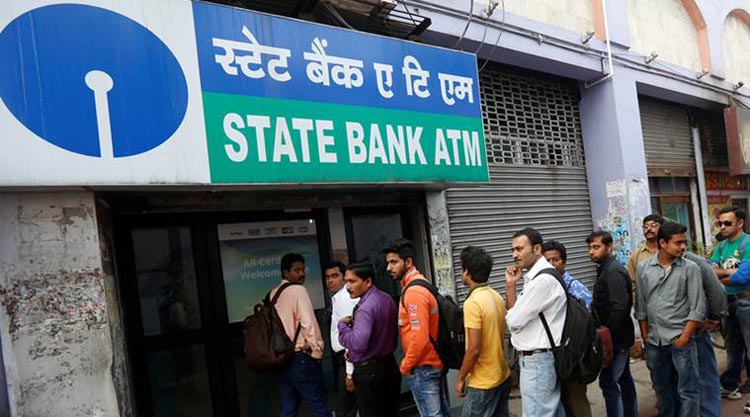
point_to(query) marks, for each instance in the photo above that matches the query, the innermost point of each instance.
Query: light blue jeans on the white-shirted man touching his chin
(540, 389)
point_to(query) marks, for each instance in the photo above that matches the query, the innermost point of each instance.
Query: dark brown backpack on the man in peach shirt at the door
(267, 346)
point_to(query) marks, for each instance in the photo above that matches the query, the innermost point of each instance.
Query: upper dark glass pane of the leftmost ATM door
(166, 280)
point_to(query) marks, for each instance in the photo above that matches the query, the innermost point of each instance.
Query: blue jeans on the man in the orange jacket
(426, 385)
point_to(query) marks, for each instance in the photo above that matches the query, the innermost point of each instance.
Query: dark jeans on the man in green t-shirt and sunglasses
(737, 333)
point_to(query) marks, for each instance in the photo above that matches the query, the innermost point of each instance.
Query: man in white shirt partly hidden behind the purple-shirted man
(342, 305)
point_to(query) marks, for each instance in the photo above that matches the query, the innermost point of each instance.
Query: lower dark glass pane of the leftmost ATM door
(179, 382)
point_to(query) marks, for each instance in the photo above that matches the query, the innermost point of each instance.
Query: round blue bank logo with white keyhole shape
(91, 81)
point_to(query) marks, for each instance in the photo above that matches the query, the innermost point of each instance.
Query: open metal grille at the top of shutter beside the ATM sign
(530, 121)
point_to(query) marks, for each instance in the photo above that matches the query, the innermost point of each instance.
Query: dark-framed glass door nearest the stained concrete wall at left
(165, 316)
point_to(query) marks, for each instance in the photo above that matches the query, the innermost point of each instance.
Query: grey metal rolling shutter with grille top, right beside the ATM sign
(537, 174)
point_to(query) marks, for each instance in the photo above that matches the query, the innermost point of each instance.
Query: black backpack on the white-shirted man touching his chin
(580, 354)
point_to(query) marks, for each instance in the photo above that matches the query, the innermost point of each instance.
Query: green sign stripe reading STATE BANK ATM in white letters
(264, 140)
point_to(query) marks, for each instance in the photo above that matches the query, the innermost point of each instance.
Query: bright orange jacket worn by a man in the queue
(417, 321)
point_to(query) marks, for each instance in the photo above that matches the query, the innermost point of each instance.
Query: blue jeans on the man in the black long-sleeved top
(617, 384)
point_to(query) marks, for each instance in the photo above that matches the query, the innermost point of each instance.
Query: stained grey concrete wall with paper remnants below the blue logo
(57, 345)
